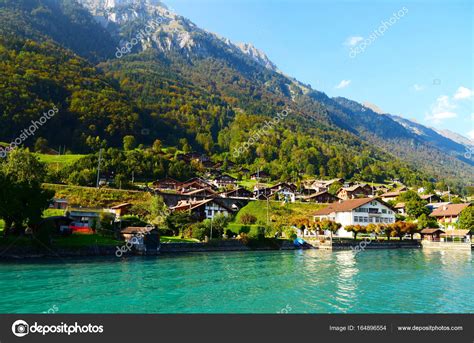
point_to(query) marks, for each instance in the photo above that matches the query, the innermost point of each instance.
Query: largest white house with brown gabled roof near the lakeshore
(362, 211)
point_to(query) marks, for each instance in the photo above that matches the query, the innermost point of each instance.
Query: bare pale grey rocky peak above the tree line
(175, 33)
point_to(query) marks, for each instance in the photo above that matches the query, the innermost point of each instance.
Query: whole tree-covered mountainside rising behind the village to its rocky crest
(201, 93)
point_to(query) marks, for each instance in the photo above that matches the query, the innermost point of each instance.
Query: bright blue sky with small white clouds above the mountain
(421, 67)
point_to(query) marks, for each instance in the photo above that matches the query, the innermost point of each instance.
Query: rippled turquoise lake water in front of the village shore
(311, 281)
